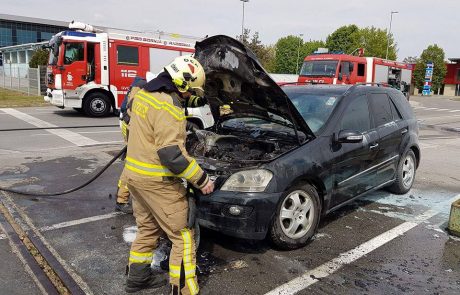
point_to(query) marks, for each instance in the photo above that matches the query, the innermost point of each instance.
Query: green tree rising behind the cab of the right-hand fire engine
(343, 39)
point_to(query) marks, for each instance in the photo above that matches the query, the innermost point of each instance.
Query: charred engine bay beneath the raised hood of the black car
(233, 150)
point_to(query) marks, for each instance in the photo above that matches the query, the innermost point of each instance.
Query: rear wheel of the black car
(405, 174)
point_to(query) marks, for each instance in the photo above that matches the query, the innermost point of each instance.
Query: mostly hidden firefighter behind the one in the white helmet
(122, 203)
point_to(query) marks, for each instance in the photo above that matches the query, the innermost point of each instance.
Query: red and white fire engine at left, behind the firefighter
(91, 70)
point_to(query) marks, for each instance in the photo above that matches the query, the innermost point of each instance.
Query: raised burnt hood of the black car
(238, 86)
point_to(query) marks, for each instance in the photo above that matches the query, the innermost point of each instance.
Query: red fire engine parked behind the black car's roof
(338, 68)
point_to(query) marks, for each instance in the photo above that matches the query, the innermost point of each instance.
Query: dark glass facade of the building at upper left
(16, 33)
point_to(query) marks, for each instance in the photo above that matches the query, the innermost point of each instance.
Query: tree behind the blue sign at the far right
(435, 54)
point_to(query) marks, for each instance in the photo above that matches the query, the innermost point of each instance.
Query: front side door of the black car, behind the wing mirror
(354, 163)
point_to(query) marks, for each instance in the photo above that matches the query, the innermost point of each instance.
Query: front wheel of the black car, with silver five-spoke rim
(297, 218)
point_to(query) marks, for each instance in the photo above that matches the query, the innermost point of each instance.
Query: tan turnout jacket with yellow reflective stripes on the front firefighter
(156, 143)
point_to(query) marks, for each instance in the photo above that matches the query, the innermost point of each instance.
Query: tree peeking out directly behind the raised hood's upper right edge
(265, 54)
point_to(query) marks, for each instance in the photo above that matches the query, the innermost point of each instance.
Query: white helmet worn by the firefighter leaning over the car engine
(187, 74)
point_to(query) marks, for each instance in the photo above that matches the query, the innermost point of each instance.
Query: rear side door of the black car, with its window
(390, 134)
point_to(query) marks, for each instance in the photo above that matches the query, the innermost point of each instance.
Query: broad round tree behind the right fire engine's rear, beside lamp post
(374, 41)
